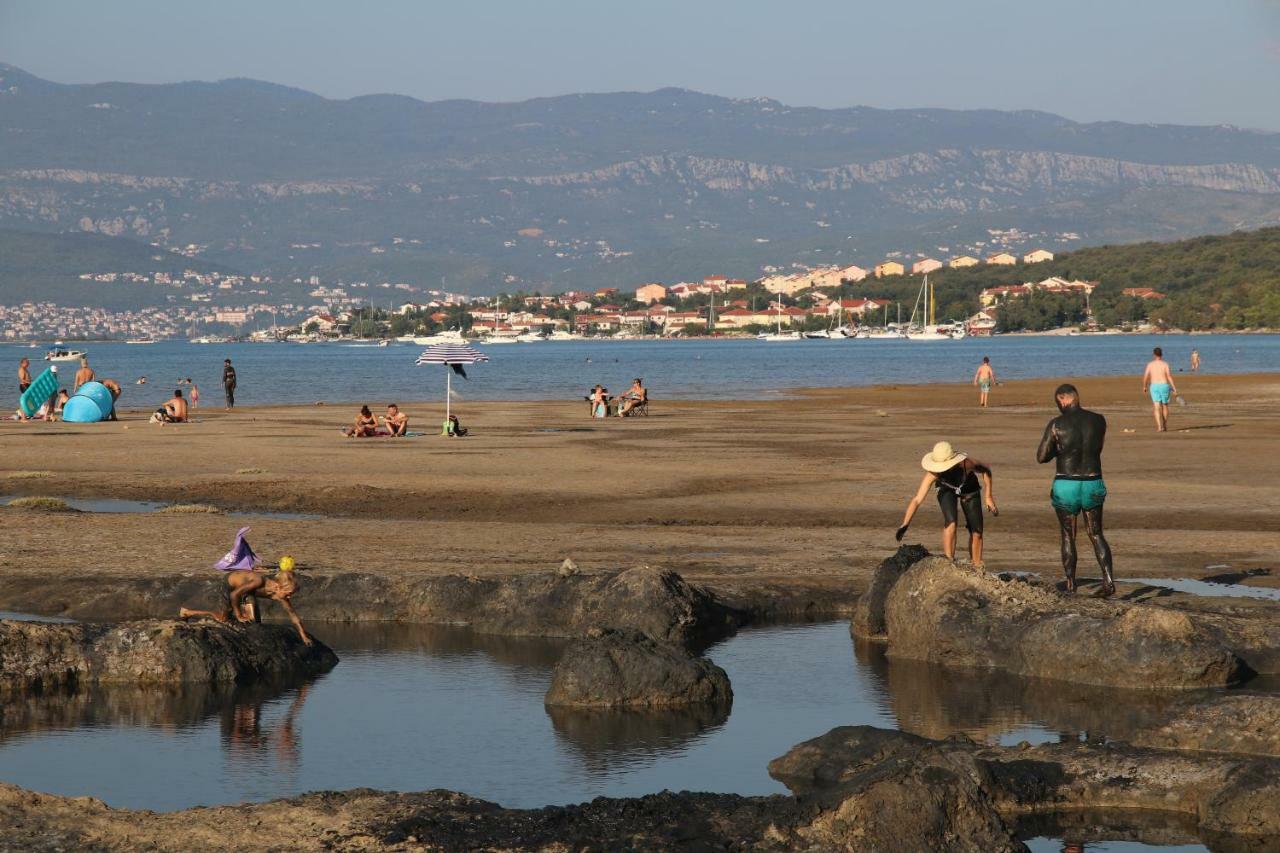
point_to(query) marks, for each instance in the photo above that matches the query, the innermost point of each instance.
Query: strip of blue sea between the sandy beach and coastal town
(290, 373)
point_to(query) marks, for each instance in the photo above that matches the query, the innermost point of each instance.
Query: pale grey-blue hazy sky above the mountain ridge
(1197, 62)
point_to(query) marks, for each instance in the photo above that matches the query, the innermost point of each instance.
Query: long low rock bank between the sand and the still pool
(656, 601)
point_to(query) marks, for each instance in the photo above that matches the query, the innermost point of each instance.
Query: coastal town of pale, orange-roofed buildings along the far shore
(203, 305)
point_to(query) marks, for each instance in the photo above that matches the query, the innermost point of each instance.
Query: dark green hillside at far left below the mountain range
(42, 267)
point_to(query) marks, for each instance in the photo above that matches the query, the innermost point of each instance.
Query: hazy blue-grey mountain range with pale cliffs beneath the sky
(597, 190)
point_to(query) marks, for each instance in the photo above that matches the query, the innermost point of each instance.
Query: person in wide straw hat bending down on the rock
(957, 478)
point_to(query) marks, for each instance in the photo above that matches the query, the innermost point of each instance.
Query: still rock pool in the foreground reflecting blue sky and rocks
(422, 708)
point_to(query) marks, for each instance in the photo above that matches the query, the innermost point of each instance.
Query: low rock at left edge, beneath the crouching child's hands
(45, 656)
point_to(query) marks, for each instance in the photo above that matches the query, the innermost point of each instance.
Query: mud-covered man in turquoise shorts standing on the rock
(1075, 439)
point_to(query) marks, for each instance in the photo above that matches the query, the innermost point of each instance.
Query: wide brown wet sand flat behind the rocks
(803, 491)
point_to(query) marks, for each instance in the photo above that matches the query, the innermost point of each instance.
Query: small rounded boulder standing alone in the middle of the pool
(627, 669)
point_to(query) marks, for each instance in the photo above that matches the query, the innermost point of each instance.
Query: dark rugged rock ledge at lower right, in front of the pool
(851, 769)
